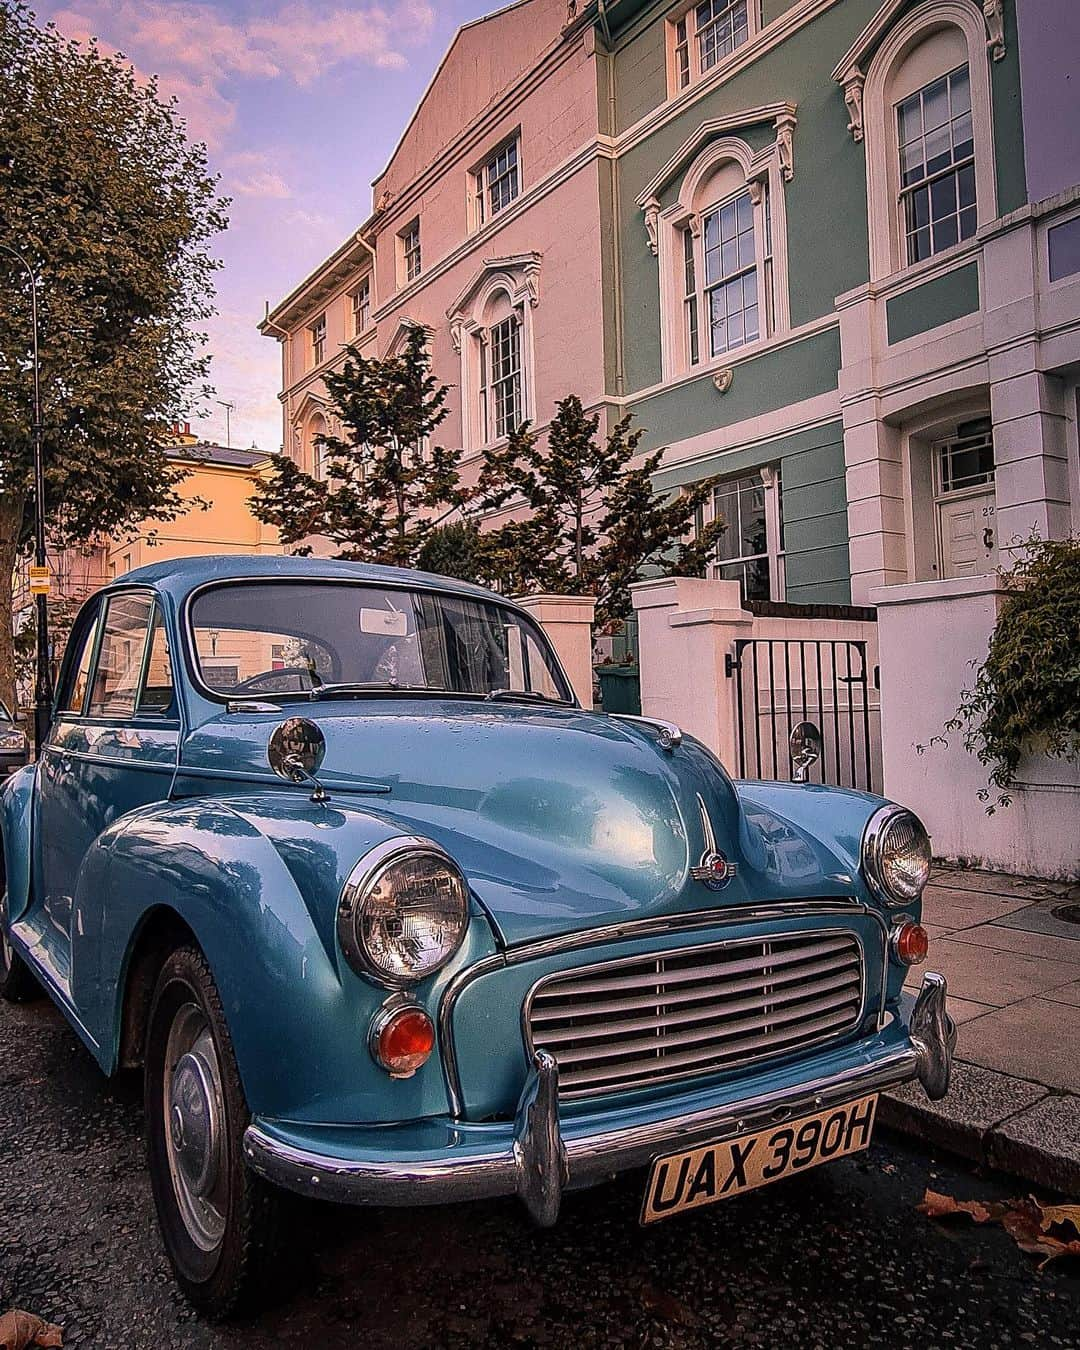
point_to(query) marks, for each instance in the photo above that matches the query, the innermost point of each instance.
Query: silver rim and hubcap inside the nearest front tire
(195, 1127)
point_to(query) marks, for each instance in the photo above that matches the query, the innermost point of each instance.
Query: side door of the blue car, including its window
(111, 750)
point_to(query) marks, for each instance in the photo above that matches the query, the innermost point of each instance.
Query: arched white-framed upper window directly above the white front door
(929, 140)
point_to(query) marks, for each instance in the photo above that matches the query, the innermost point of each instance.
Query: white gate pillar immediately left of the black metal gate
(685, 630)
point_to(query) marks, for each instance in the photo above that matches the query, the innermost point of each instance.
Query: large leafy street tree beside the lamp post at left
(114, 210)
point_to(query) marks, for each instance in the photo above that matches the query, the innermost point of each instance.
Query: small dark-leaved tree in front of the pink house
(385, 487)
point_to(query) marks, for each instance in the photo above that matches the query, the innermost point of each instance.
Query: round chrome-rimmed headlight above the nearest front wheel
(404, 912)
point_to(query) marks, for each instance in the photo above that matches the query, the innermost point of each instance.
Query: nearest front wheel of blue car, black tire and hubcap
(225, 1244)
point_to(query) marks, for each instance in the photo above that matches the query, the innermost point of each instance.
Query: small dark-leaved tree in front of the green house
(596, 524)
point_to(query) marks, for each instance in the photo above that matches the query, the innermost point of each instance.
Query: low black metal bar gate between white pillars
(784, 681)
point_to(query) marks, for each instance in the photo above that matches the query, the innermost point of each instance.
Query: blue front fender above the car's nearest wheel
(257, 881)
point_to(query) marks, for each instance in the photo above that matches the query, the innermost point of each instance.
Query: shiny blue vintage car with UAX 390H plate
(333, 853)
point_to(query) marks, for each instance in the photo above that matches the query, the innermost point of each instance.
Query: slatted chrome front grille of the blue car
(649, 1020)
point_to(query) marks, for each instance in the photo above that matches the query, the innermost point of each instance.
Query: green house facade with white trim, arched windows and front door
(819, 241)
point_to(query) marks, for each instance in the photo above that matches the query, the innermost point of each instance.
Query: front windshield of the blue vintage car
(331, 639)
